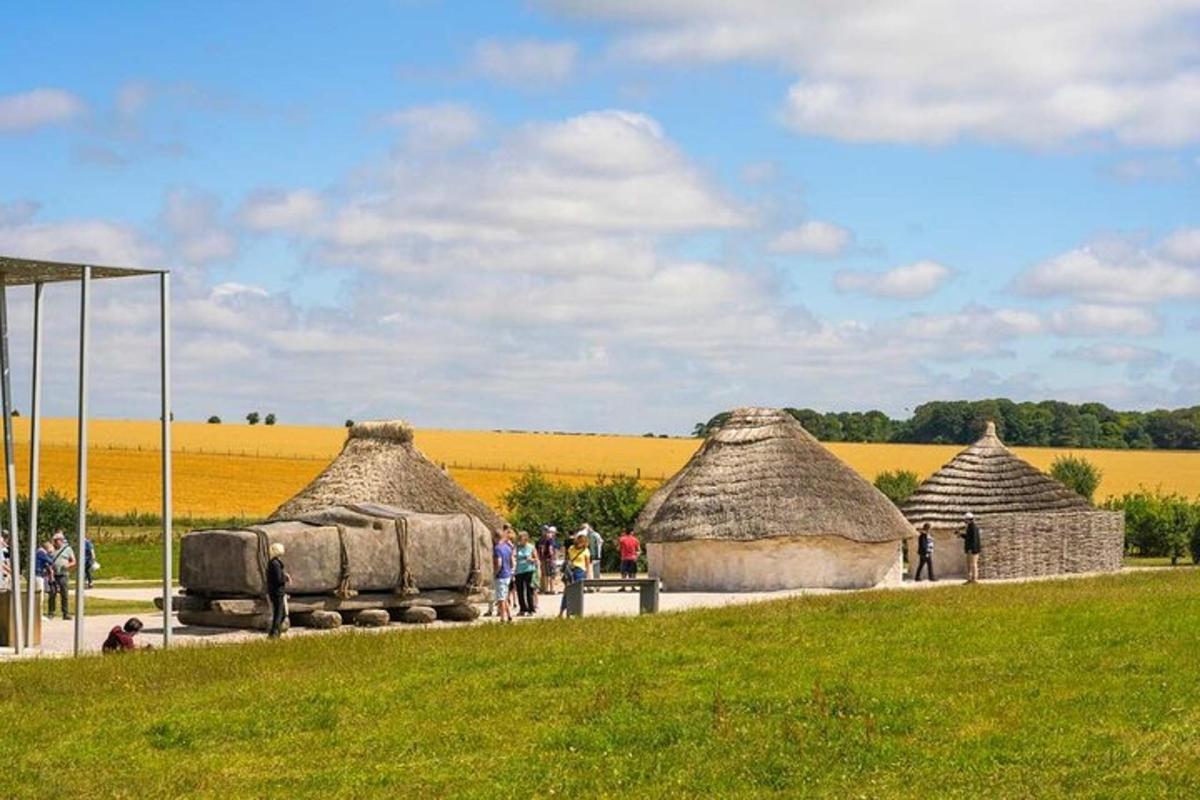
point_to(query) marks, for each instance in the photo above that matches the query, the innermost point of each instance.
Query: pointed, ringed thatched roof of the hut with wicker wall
(987, 478)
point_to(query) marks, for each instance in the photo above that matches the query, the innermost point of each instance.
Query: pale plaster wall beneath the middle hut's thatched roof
(769, 564)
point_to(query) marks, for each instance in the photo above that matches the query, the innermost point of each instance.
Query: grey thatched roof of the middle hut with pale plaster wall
(763, 476)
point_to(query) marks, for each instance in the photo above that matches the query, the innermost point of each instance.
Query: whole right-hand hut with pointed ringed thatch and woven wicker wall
(1030, 525)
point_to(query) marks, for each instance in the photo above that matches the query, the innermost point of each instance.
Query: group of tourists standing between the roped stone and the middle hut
(524, 569)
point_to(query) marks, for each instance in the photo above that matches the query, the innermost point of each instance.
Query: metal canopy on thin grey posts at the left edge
(20, 272)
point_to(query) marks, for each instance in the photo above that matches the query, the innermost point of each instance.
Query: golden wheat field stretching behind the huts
(243, 471)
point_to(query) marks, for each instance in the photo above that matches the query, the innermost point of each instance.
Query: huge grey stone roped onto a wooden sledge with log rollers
(343, 561)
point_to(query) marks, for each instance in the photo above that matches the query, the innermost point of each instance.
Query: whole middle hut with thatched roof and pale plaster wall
(763, 506)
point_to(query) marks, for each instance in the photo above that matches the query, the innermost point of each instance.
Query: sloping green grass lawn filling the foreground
(1045, 690)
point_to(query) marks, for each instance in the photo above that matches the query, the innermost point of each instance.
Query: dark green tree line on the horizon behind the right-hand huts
(1049, 424)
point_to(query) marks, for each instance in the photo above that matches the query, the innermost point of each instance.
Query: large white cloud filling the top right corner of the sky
(933, 73)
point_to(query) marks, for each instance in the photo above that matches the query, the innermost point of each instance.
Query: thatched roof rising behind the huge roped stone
(380, 464)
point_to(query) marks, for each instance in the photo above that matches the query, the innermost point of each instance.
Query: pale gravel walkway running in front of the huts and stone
(58, 636)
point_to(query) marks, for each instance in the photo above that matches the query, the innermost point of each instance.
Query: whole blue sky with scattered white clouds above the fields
(548, 216)
